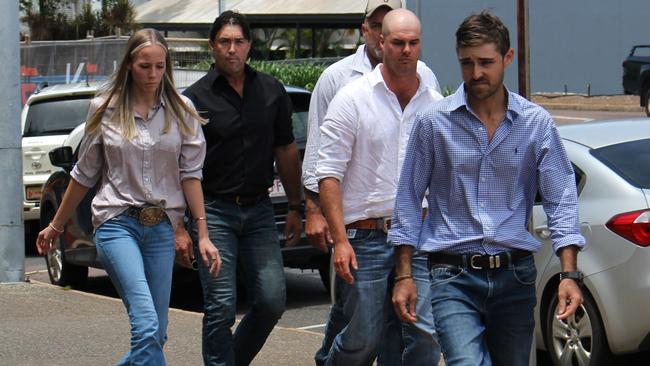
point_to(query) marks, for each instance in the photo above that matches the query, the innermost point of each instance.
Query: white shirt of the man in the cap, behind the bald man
(329, 83)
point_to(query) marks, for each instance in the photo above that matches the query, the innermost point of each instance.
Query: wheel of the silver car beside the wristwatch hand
(579, 339)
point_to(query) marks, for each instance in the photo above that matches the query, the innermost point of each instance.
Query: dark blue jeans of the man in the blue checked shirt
(485, 317)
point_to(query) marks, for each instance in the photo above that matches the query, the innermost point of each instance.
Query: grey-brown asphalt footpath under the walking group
(41, 324)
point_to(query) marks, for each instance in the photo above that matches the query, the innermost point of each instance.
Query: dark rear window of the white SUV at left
(56, 116)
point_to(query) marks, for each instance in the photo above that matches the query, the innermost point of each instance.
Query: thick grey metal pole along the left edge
(12, 241)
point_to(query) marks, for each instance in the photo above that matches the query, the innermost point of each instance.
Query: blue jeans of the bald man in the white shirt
(362, 324)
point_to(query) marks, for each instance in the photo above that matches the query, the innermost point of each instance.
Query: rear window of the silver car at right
(631, 160)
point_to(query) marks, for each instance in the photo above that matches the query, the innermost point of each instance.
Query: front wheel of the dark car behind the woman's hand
(61, 272)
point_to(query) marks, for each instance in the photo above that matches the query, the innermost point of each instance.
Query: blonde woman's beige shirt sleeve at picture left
(90, 163)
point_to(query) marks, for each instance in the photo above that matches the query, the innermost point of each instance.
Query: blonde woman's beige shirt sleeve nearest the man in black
(192, 154)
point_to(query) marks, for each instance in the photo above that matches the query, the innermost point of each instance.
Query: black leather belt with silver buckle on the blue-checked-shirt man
(478, 261)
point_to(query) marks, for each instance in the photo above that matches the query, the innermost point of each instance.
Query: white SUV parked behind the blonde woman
(46, 120)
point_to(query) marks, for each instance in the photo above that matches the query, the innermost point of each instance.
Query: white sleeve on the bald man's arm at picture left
(337, 137)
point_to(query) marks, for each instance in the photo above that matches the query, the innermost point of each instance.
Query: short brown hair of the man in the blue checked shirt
(481, 28)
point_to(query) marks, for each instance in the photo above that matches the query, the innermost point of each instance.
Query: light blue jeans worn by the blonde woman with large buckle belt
(139, 260)
